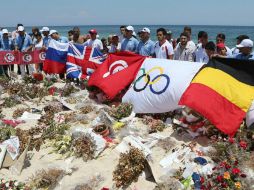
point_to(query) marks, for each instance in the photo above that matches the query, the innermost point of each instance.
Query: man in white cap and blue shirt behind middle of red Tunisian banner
(23, 43)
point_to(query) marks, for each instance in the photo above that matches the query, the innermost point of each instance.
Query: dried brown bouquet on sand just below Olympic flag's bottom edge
(153, 124)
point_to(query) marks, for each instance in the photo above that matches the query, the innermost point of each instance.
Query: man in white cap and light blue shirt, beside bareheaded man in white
(145, 46)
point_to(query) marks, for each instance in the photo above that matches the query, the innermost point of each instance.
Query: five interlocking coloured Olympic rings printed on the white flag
(150, 82)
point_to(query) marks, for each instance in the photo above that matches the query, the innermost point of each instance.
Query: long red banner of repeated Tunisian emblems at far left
(17, 57)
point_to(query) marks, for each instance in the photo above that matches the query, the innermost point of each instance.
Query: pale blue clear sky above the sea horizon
(107, 12)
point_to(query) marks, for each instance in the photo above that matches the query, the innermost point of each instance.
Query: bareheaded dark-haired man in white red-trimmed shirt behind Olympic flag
(163, 49)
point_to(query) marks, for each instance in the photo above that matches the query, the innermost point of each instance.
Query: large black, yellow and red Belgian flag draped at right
(222, 91)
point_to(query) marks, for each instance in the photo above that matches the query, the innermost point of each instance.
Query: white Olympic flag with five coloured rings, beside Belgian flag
(160, 84)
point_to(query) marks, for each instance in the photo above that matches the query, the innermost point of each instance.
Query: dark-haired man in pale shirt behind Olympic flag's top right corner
(200, 53)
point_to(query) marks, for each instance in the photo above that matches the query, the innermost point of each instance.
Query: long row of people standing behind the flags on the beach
(182, 48)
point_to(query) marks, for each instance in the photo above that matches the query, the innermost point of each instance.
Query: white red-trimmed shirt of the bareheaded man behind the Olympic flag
(164, 50)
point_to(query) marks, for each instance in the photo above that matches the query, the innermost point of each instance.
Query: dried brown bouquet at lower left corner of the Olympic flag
(121, 111)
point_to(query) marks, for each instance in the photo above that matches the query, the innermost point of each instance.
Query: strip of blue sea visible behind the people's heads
(104, 31)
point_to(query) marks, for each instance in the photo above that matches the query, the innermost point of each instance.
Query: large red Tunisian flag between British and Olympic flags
(117, 72)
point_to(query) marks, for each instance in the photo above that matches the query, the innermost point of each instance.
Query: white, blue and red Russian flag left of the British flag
(56, 56)
